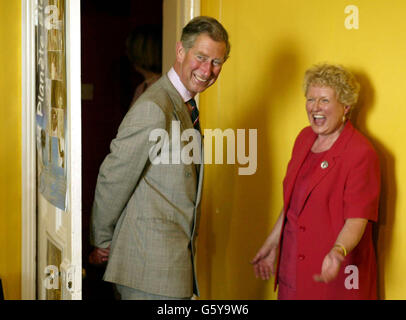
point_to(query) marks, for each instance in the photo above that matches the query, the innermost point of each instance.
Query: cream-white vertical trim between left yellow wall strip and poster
(28, 152)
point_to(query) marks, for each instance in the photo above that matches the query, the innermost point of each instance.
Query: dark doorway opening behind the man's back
(108, 85)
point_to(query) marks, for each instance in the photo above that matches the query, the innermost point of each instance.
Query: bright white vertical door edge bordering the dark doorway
(74, 158)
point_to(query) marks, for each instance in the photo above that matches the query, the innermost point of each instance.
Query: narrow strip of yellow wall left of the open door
(10, 147)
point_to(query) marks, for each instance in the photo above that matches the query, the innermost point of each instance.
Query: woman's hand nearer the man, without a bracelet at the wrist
(264, 261)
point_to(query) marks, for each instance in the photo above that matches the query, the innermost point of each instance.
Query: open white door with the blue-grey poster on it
(52, 123)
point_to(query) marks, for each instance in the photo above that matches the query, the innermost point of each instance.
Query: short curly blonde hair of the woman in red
(336, 77)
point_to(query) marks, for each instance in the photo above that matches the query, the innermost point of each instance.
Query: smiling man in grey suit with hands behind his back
(145, 216)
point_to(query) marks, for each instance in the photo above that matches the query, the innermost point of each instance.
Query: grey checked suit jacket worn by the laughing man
(149, 214)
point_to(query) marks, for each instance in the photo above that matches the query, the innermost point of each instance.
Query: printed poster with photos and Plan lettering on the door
(51, 115)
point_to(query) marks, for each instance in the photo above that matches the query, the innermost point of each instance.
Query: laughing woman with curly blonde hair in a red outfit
(323, 237)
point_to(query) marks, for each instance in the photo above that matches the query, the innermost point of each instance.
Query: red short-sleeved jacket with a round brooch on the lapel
(346, 186)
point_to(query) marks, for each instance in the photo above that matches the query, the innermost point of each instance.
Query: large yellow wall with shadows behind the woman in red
(273, 43)
